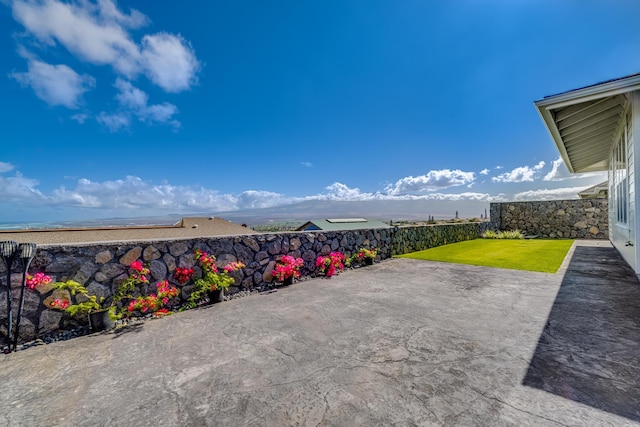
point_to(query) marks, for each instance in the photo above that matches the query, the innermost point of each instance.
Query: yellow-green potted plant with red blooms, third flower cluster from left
(212, 279)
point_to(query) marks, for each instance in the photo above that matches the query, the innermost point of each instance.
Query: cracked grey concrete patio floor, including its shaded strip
(404, 342)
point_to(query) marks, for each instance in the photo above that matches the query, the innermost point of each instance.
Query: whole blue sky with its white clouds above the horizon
(144, 108)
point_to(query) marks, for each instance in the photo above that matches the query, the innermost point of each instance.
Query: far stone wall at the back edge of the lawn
(581, 219)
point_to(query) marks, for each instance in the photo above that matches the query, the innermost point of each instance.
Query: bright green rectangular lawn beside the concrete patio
(534, 255)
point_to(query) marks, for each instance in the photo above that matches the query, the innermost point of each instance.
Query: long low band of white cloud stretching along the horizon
(133, 195)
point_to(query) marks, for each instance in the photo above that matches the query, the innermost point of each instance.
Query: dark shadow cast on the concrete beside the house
(589, 350)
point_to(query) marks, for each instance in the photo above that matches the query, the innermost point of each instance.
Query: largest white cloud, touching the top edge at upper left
(100, 34)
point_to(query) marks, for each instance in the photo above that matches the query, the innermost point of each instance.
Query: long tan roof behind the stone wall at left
(188, 228)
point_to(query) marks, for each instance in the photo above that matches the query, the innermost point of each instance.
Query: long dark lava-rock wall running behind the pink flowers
(101, 267)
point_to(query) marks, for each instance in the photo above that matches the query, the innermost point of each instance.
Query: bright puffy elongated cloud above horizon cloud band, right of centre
(432, 181)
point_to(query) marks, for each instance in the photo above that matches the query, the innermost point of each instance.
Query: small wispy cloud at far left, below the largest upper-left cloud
(55, 84)
